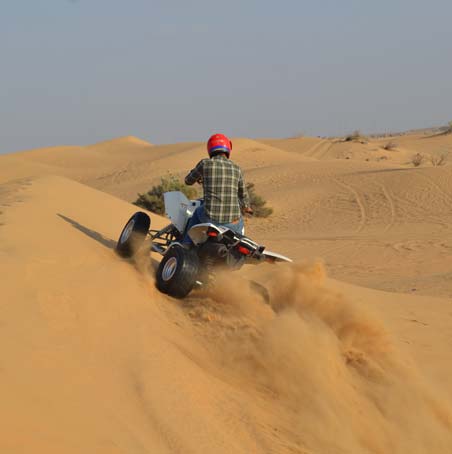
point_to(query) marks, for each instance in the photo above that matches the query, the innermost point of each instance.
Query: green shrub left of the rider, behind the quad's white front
(153, 199)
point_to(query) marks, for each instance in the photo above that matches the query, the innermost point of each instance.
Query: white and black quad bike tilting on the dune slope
(185, 266)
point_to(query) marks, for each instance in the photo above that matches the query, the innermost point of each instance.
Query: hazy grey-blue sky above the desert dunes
(75, 72)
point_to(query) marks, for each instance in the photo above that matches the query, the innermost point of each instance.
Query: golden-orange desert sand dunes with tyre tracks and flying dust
(353, 356)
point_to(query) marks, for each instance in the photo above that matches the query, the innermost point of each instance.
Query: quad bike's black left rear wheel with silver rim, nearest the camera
(178, 271)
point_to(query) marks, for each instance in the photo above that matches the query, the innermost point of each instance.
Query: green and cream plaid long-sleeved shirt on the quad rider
(224, 189)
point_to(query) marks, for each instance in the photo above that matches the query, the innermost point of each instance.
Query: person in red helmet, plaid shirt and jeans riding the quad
(225, 195)
